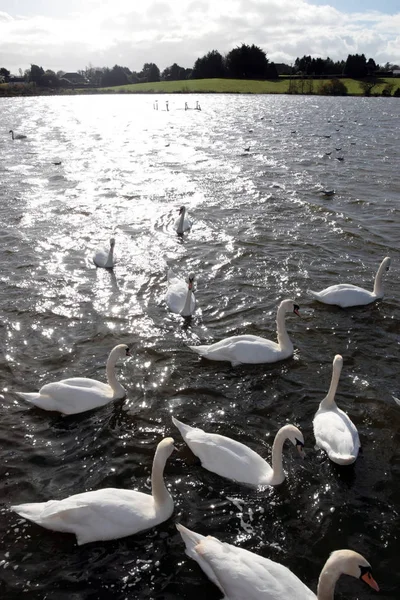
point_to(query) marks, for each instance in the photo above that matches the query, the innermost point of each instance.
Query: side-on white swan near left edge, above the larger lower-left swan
(78, 394)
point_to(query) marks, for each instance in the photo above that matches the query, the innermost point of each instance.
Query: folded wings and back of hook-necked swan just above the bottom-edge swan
(227, 457)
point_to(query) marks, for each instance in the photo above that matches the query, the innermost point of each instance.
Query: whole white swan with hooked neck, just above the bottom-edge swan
(236, 461)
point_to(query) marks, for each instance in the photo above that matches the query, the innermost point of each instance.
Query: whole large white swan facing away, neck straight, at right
(333, 429)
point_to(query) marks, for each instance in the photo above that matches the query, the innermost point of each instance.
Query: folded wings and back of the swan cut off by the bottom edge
(242, 574)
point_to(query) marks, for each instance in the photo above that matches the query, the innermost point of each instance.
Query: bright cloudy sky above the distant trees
(73, 34)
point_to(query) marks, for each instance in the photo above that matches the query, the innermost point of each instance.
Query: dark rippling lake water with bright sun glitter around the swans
(262, 232)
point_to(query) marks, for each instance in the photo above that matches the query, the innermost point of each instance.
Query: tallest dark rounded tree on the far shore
(248, 62)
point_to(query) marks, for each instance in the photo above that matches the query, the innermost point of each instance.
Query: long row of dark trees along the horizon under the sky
(242, 62)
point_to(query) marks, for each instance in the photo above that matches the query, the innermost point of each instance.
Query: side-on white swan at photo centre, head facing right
(253, 349)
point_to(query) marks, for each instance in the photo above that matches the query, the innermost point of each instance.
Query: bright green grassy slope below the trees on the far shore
(242, 86)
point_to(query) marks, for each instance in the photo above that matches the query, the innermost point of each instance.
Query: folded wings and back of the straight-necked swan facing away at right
(336, 433)
